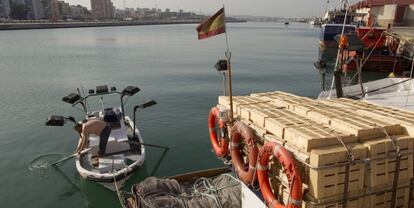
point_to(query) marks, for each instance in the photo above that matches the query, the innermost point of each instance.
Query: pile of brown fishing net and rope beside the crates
(223, 191)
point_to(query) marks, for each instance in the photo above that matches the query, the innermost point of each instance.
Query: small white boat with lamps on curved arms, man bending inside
(125, 151)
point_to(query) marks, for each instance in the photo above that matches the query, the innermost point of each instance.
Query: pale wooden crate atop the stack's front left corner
(308, 137)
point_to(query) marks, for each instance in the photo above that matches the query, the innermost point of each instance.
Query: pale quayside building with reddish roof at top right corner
(386, 12)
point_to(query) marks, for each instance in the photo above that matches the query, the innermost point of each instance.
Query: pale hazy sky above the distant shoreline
(274, 8)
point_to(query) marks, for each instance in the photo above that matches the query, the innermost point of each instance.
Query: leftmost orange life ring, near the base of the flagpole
(220, 148)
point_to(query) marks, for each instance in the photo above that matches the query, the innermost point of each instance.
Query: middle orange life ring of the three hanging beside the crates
(241, 131)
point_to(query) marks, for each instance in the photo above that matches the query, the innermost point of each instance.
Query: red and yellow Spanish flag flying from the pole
(213, 25)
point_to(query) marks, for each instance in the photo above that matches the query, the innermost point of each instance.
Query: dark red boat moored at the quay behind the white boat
(373, 50)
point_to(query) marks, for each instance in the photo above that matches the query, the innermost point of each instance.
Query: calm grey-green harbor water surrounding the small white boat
(168, 63)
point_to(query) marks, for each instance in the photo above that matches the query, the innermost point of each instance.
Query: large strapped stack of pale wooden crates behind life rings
(315, 131)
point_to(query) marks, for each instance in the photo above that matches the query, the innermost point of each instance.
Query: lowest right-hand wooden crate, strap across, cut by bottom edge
(384, 200)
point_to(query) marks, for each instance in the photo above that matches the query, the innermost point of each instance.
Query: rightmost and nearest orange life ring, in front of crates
(289, 167)
